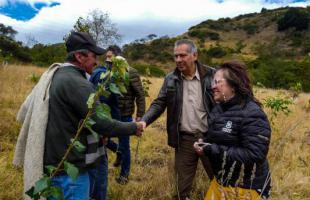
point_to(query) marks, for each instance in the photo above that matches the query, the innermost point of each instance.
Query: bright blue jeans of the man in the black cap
(72, 190)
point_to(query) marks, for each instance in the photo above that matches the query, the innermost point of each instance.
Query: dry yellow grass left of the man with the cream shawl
(15, 84)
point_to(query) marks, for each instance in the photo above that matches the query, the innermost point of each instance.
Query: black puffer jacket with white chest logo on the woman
(240, 136)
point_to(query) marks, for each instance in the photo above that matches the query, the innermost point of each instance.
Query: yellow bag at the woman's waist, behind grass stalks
(218, 192)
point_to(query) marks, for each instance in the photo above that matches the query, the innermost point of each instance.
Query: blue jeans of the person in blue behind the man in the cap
(99, 180)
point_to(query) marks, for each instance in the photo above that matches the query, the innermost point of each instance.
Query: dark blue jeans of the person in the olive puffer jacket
(124, 148)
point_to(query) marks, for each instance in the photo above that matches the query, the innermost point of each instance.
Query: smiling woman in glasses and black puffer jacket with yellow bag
(238, 138)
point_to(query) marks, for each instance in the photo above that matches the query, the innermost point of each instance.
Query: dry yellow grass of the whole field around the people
(152, 169)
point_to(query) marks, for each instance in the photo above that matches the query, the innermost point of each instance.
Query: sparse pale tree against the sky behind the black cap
(99, 25)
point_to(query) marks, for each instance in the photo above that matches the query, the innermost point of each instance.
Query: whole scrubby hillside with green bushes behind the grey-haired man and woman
(273, 43)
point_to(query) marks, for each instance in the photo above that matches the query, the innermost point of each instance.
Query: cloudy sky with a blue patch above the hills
(49, 20)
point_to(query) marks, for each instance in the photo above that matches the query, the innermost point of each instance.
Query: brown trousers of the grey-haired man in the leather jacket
(186, 161)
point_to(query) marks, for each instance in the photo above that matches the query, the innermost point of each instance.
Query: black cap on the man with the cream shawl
(81, 40)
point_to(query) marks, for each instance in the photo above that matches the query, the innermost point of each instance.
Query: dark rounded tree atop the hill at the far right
(294, 17)
